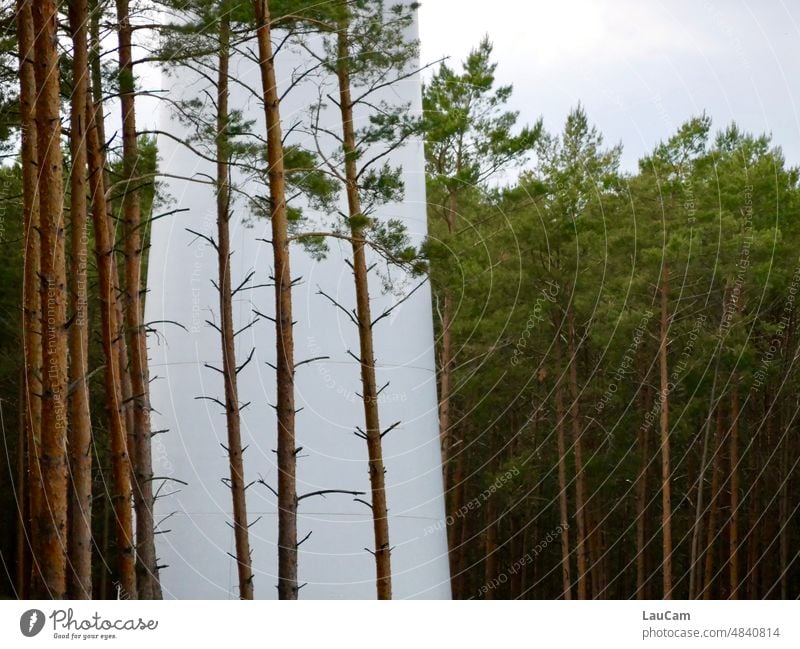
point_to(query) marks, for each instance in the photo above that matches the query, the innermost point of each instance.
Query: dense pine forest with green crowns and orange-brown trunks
(616, 351)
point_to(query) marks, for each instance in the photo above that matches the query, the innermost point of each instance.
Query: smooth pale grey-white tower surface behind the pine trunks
(197, 540)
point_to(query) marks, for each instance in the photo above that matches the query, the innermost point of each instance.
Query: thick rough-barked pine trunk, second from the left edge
(52, 527)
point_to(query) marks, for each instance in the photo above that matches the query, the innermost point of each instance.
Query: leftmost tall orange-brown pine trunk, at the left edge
(31, 317)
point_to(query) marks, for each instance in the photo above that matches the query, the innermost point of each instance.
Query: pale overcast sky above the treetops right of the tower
(640, 67)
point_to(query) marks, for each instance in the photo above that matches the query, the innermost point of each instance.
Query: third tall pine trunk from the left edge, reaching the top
(80, 434)
